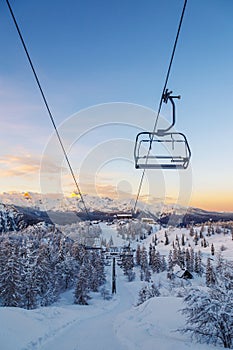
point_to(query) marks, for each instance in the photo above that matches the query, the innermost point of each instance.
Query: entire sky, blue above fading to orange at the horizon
(102, 66)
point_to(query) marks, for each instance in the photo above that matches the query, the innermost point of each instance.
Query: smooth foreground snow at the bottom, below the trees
(117, 324)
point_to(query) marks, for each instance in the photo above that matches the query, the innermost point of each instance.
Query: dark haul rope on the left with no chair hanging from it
(48, 109)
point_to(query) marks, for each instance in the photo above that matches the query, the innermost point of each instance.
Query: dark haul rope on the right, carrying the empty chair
(161, 102)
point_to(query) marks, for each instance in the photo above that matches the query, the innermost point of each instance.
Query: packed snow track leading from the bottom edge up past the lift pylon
(83, 334)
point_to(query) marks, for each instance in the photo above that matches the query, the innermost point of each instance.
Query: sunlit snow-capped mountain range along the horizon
(59, 208)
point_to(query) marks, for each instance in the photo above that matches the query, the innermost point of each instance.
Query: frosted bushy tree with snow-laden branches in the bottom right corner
(209, 315)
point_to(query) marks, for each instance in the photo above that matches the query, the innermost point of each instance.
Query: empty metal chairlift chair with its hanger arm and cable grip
(163, 149)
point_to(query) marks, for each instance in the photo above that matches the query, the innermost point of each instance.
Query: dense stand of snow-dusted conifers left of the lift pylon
(38, 263)
